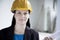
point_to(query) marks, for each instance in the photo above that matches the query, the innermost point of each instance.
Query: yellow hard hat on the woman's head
(21, 5)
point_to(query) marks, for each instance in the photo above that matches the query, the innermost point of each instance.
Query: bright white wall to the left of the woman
(5, 14)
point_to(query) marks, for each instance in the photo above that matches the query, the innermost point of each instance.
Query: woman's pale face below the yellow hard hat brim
(21, 16)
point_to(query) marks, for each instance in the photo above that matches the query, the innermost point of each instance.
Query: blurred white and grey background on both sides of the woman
(44, 18)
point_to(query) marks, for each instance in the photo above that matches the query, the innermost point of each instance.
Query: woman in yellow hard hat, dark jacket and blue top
(20, 28)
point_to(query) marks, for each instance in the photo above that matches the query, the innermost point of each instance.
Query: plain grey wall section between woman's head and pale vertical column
(37, 14)
